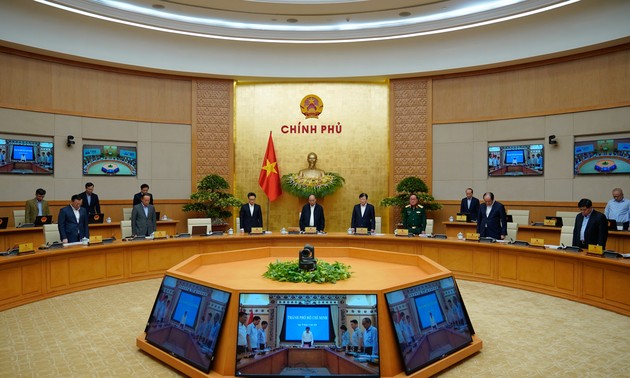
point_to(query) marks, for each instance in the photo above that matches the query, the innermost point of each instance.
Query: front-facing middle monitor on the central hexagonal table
(283, 350)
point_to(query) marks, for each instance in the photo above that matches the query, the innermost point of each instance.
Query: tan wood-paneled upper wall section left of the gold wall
(36, 84)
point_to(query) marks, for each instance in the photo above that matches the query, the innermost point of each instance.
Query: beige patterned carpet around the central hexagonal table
(92, 334)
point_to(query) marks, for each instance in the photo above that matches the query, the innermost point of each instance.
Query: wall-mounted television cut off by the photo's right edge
(602, 156)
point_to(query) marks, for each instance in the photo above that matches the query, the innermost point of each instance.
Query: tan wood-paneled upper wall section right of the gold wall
(559, 86)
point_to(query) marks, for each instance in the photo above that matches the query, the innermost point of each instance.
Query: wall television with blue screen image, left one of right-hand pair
(516, 160)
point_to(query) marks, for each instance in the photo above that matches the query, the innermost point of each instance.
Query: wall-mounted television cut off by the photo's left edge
(25, 157)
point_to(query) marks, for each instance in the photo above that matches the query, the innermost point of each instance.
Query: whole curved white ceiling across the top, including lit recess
(303, 40)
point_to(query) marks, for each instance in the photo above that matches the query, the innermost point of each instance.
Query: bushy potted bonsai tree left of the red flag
(212, 200)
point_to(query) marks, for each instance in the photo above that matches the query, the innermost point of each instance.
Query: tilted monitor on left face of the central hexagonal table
(186, 321)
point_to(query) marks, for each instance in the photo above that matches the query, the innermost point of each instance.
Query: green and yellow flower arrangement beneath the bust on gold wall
(302, 187)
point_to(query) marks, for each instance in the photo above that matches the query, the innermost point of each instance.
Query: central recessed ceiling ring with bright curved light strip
(307, 21)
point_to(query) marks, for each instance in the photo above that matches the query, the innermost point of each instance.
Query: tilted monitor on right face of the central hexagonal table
(430, 321)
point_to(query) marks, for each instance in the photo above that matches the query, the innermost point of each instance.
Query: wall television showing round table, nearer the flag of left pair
(110, 160)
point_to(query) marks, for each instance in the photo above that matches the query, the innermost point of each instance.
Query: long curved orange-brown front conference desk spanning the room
(593, 280)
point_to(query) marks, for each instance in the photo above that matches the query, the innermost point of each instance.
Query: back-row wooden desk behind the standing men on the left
(11, 236)
